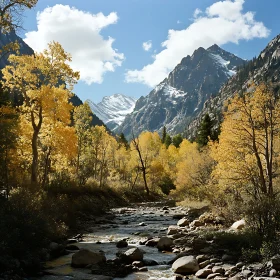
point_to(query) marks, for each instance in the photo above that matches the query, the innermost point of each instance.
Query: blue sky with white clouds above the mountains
(129, 46)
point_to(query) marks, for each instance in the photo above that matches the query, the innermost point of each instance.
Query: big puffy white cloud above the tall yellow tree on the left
(79, 34)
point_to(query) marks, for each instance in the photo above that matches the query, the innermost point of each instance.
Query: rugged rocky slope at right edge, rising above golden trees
(264, 68)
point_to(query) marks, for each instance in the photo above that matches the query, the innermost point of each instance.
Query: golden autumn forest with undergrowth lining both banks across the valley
(56, 168)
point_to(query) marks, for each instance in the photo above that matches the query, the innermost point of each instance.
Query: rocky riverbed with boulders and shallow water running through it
(152, 241)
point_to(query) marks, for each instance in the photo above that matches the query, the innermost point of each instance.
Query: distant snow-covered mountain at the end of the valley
(113, 109)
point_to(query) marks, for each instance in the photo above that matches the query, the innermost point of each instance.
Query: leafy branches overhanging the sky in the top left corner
(11, 13)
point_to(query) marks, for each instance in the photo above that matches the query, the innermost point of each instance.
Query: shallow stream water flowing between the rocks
(135, 224)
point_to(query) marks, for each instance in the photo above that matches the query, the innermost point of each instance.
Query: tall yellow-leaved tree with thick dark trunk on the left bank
(40, 78)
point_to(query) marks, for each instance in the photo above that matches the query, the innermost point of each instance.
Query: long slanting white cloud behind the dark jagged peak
(221, 23)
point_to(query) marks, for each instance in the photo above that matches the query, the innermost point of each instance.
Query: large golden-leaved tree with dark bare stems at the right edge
(248, 151)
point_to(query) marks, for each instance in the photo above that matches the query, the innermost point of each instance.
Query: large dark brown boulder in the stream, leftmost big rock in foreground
(85, 257)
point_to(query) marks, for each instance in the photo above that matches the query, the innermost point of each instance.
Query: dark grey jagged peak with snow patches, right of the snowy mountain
(180, 97)
